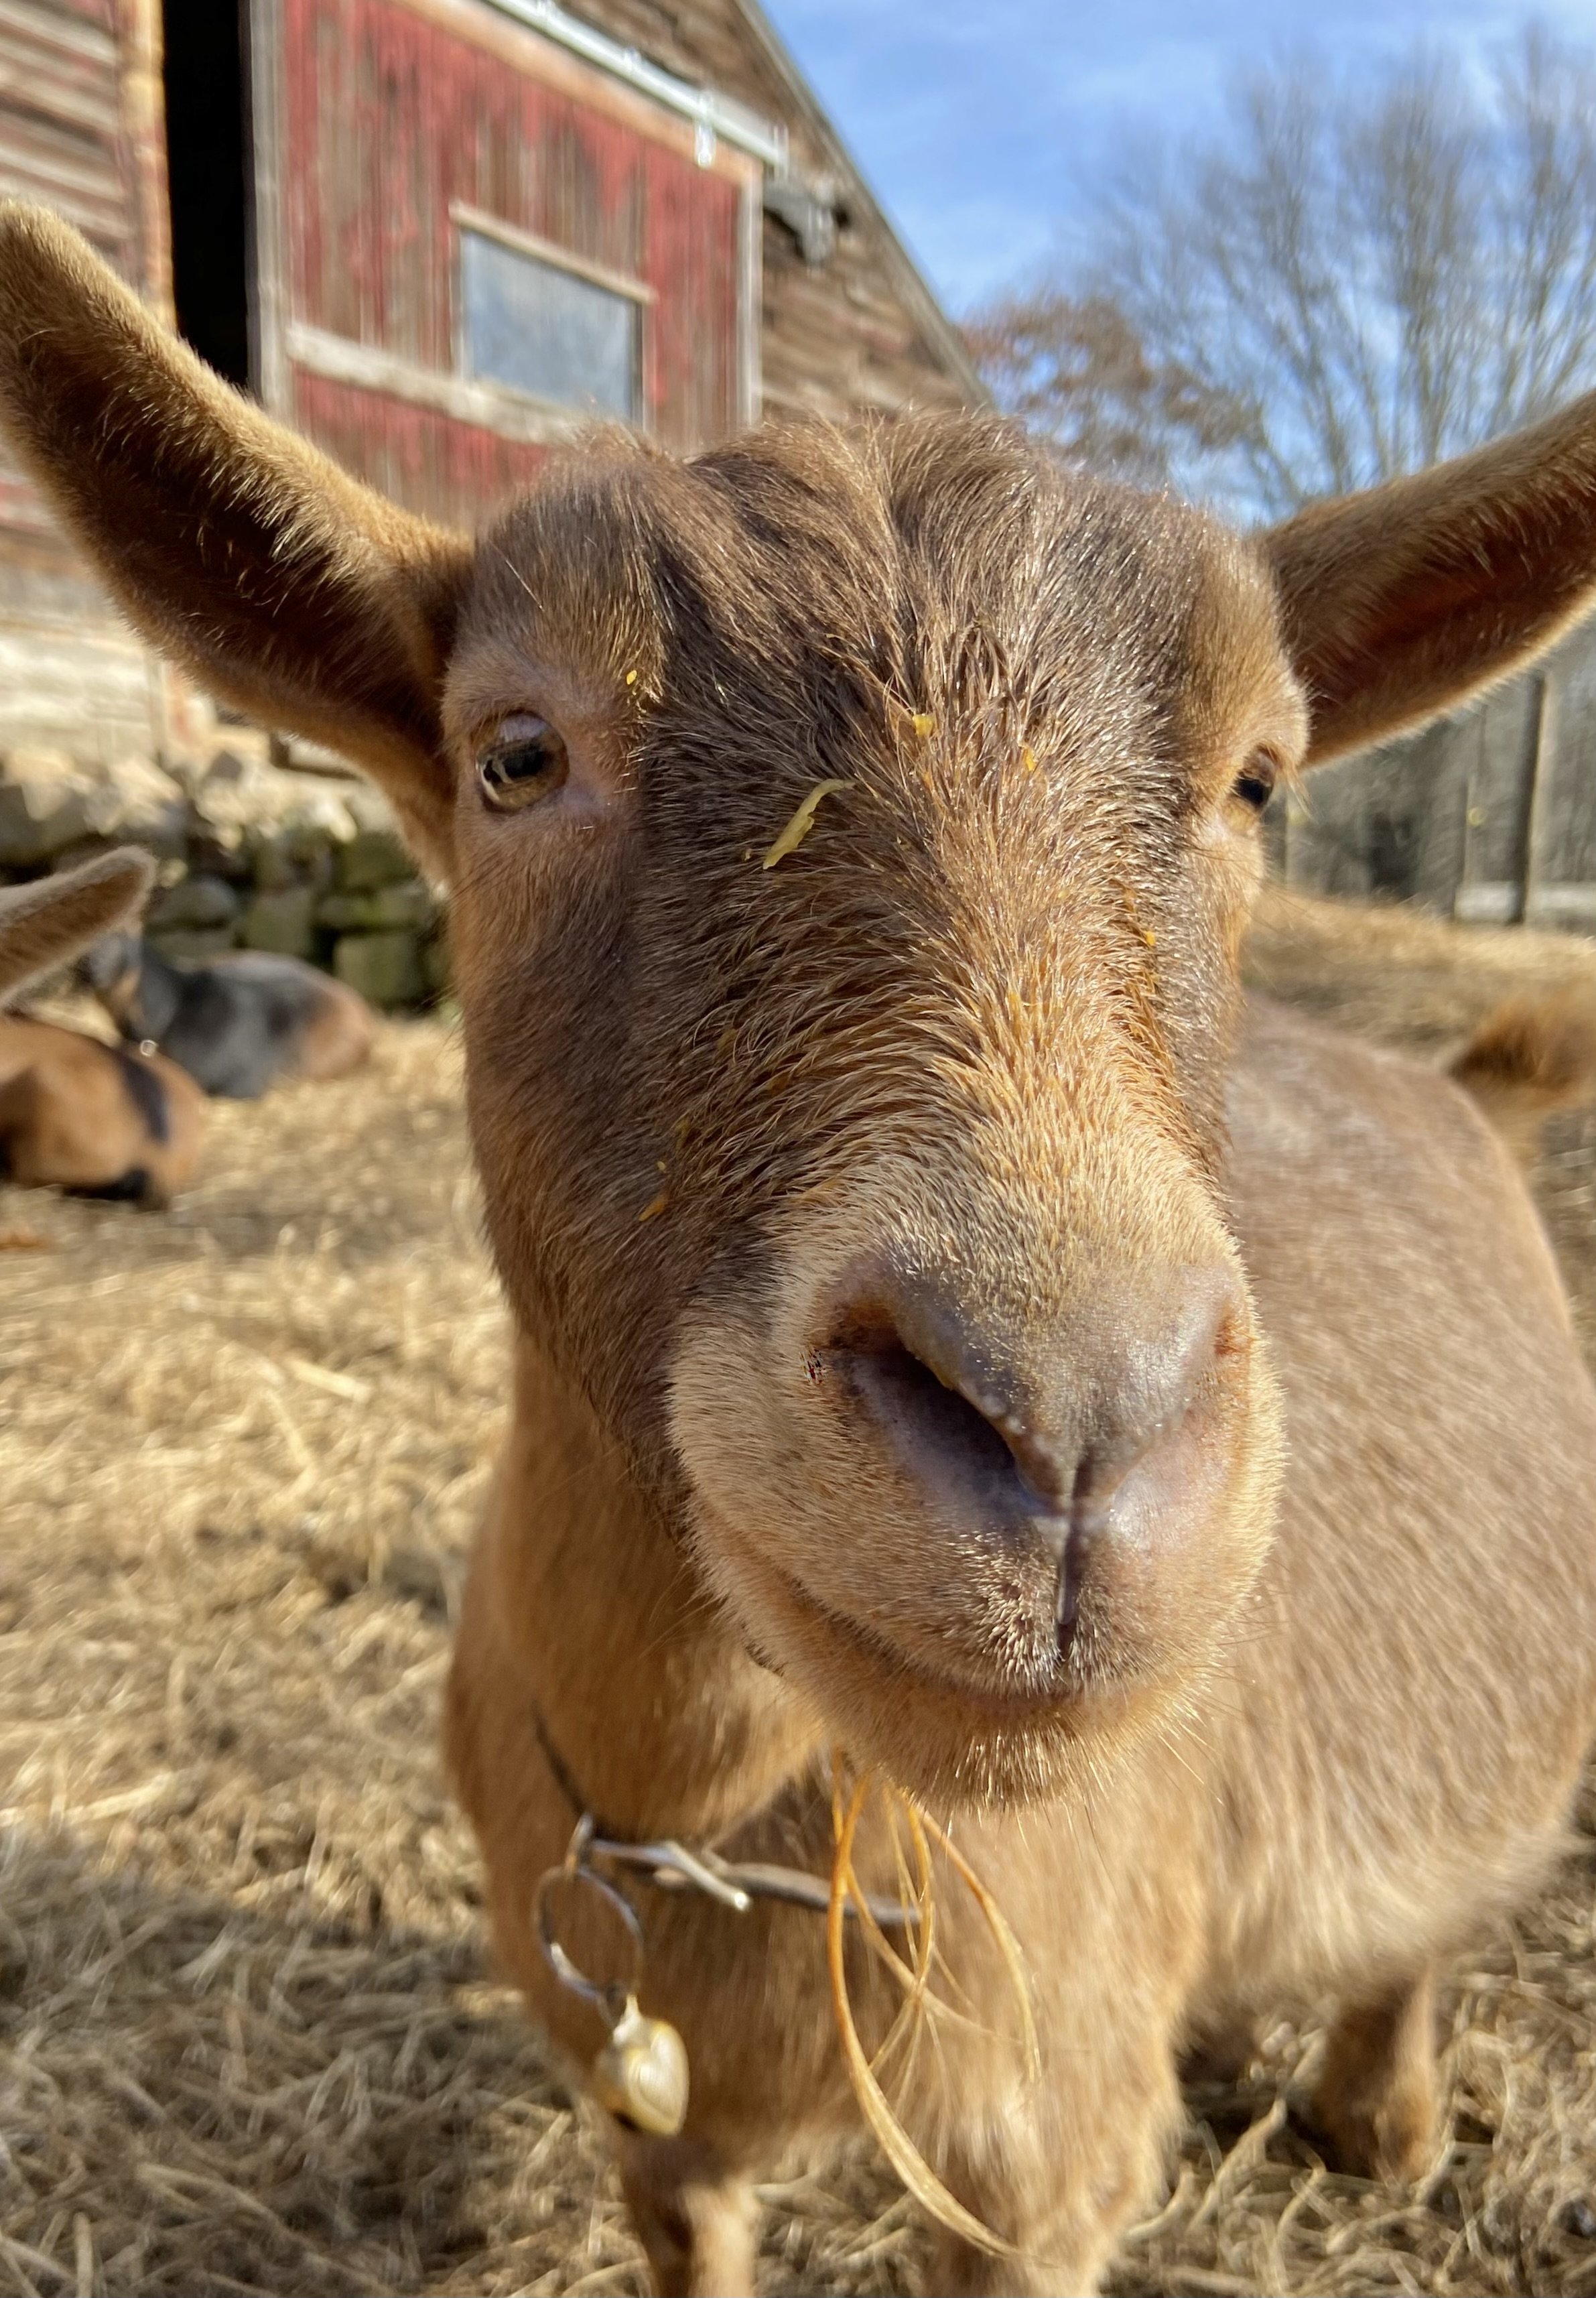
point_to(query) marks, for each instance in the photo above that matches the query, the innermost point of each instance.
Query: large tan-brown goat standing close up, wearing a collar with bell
(952, 1325)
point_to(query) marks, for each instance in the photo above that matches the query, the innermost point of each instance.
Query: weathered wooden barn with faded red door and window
(440, 236)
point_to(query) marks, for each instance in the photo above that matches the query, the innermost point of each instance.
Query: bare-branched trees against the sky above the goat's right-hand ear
(1354, 282)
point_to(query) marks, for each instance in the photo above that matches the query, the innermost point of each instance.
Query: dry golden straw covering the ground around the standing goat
(247, 2033)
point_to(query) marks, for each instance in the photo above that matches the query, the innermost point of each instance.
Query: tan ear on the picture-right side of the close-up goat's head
(1411, 599)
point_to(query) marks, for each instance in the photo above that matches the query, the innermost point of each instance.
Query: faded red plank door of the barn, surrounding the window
(396, 116)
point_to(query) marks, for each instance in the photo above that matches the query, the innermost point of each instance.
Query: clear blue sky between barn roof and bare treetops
(979, 125)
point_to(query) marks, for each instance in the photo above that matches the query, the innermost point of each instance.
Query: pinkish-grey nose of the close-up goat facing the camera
(1044, 1435)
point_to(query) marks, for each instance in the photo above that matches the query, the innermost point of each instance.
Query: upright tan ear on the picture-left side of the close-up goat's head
(268, 573)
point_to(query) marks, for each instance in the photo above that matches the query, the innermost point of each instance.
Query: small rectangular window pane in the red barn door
(552, 330)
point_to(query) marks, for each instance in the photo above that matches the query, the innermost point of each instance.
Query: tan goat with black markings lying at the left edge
(77, 1113)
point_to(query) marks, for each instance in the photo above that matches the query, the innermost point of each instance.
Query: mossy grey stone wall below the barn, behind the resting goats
(261, 847)
